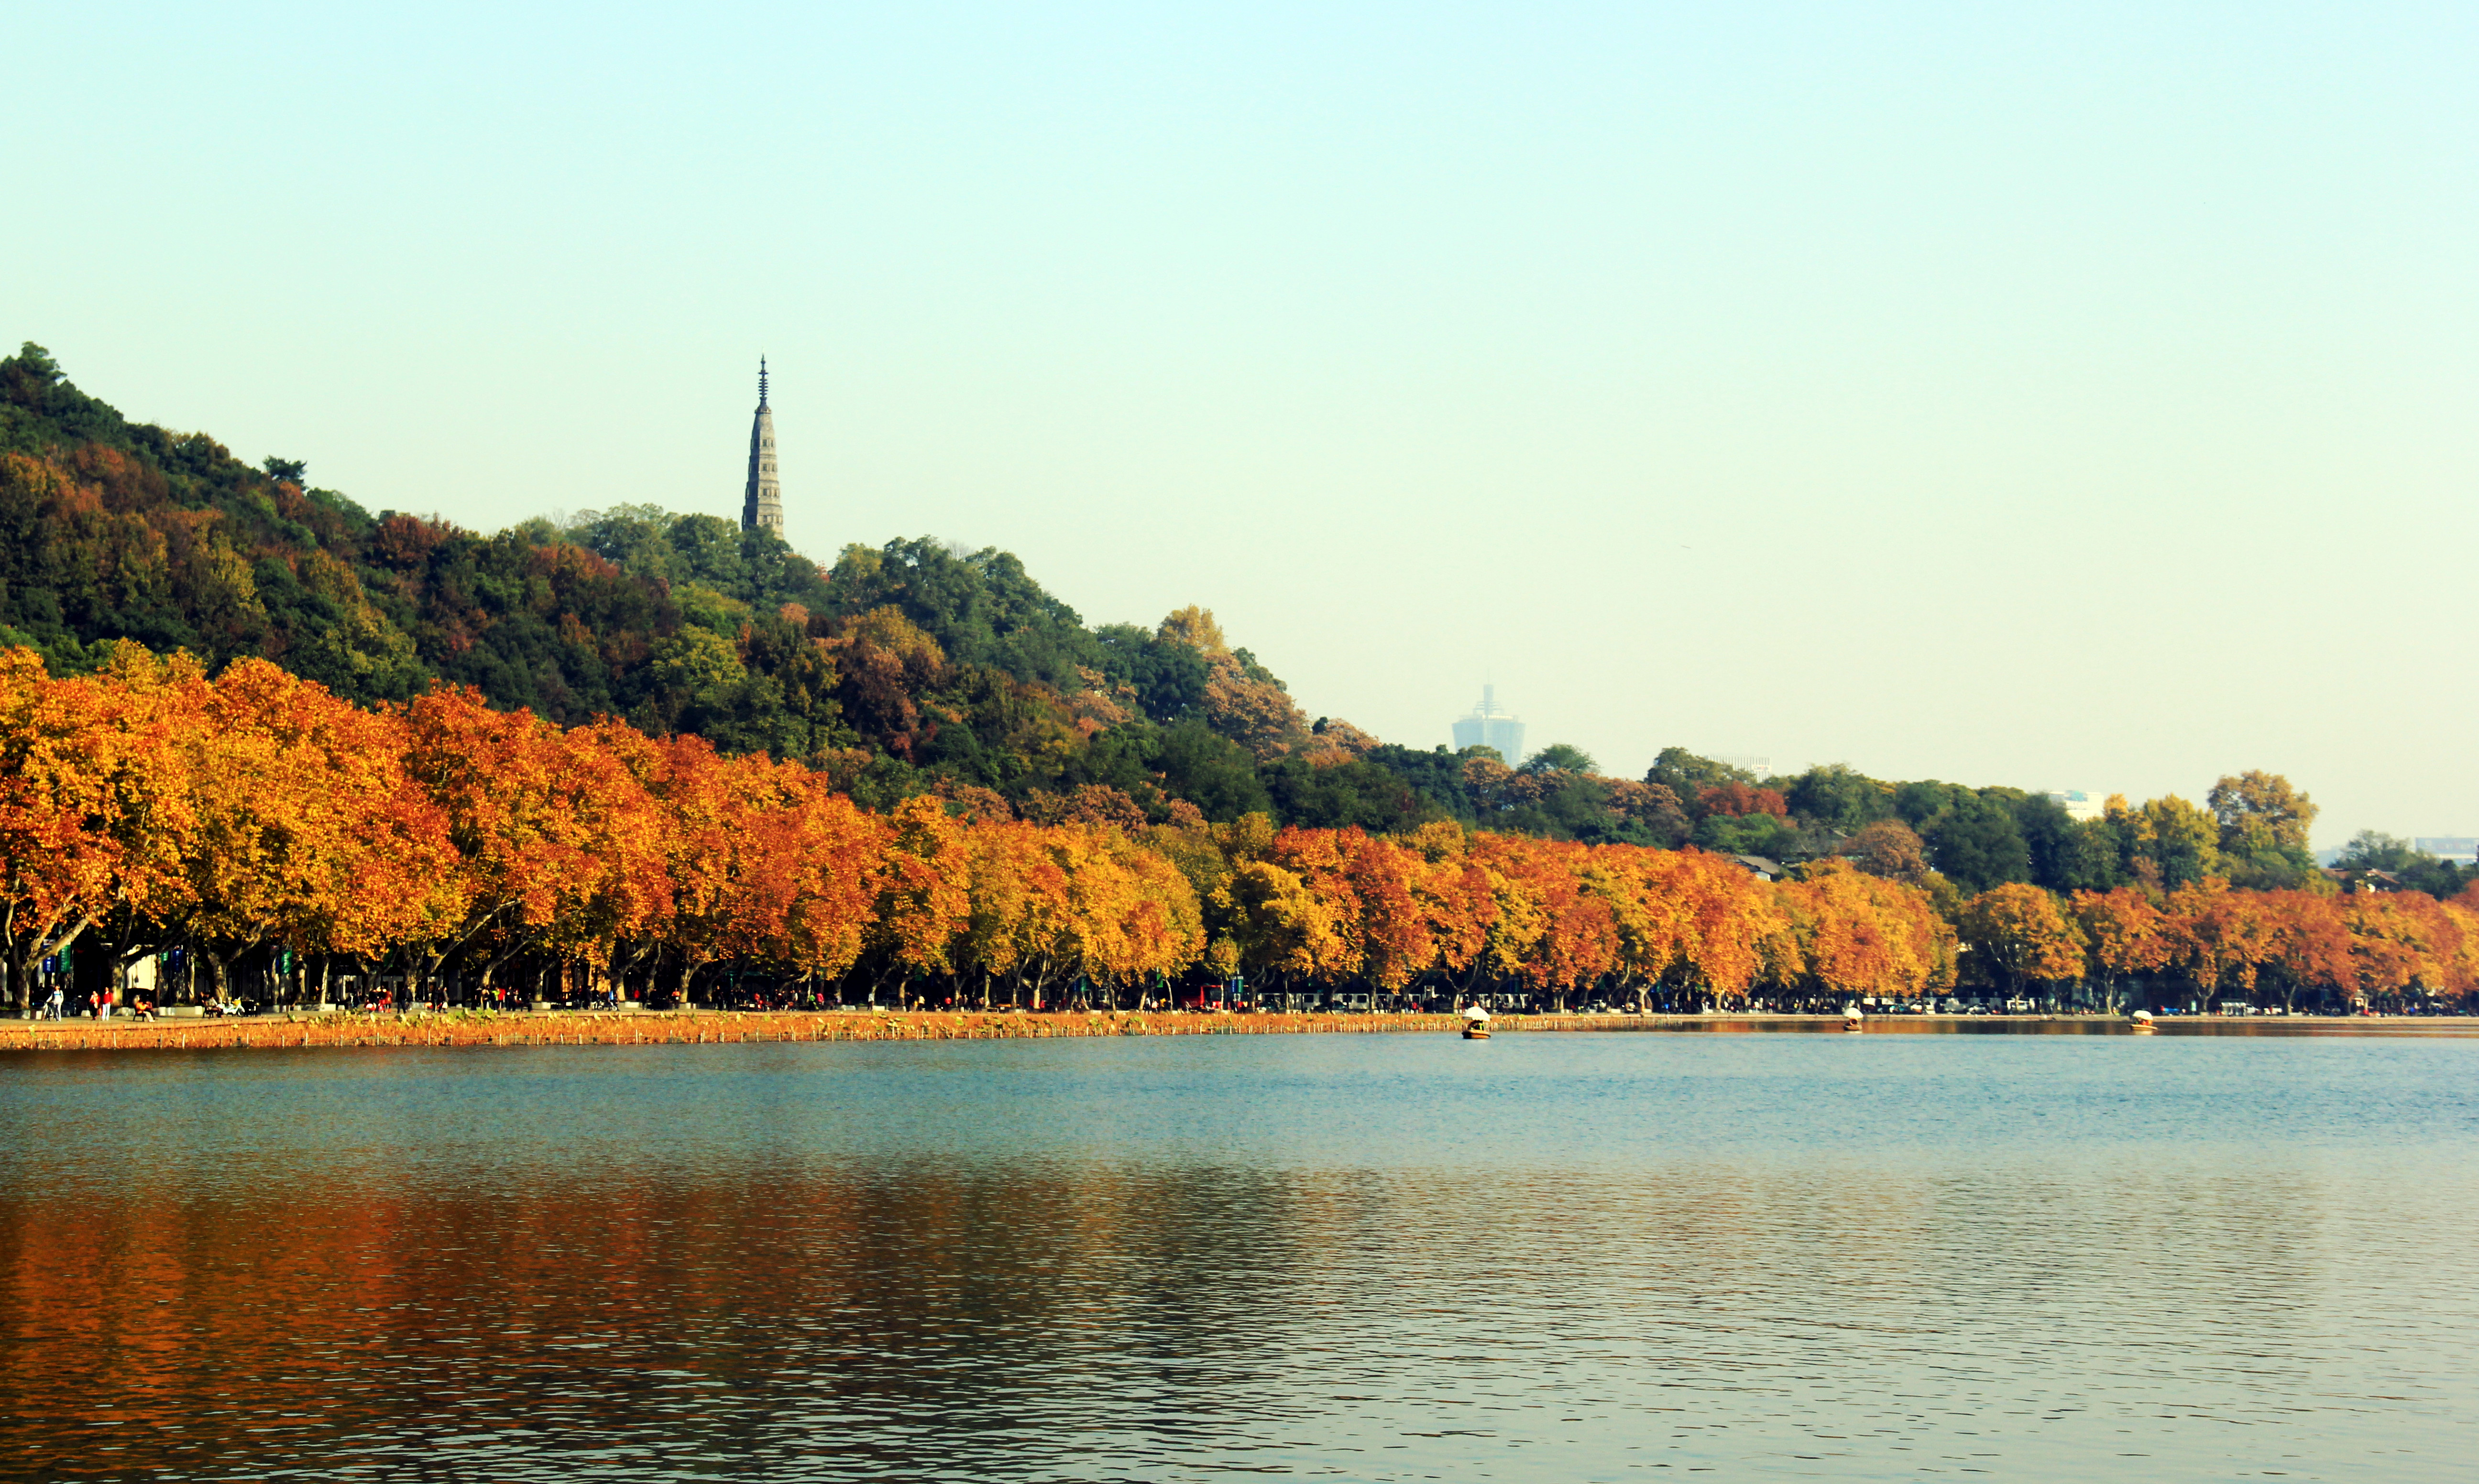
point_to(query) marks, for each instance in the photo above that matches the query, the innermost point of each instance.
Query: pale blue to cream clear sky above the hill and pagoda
(2071, 398)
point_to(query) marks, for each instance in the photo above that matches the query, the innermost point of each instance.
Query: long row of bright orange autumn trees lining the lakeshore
(254, 819)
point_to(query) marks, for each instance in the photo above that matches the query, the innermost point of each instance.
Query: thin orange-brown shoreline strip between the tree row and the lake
(742, 1027)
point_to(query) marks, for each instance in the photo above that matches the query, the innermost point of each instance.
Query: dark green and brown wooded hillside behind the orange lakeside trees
(936, 670)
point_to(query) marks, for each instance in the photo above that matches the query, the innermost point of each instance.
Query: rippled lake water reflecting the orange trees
(1337, 1257)
